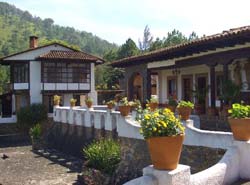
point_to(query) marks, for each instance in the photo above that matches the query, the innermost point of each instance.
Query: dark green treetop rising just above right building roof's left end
(128, 49)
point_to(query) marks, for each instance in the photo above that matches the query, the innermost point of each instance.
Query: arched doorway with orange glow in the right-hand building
(136, 87)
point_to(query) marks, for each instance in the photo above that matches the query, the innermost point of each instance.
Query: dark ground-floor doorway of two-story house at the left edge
(6, 103)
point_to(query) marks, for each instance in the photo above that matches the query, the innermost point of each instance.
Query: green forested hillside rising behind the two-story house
(16, 26)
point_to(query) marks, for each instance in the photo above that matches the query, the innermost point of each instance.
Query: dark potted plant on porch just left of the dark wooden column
(200, 95)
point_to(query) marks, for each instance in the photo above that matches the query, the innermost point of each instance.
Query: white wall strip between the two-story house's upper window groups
(35, 80)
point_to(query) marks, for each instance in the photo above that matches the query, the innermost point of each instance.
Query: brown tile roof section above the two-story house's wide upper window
(69, 55)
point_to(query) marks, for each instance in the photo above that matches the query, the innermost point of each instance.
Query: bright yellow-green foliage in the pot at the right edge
(239, 111)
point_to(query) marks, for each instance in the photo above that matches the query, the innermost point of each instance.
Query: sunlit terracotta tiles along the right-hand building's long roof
(212, 39)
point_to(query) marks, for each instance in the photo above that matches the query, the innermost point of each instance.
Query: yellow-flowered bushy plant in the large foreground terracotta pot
(159, 123)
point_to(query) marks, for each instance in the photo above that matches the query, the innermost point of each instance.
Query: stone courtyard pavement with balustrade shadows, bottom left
(23, 167)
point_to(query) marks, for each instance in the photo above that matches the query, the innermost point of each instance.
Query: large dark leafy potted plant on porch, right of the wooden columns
(229, 94)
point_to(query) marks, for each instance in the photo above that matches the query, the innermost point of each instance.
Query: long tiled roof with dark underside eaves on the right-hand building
(229, 37)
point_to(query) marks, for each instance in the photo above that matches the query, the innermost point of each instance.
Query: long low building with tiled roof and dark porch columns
(178, 70)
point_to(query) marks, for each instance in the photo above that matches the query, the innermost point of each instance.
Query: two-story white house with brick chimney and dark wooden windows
(37, 74)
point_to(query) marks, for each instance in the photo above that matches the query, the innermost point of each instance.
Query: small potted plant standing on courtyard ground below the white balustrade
(35, 134)
